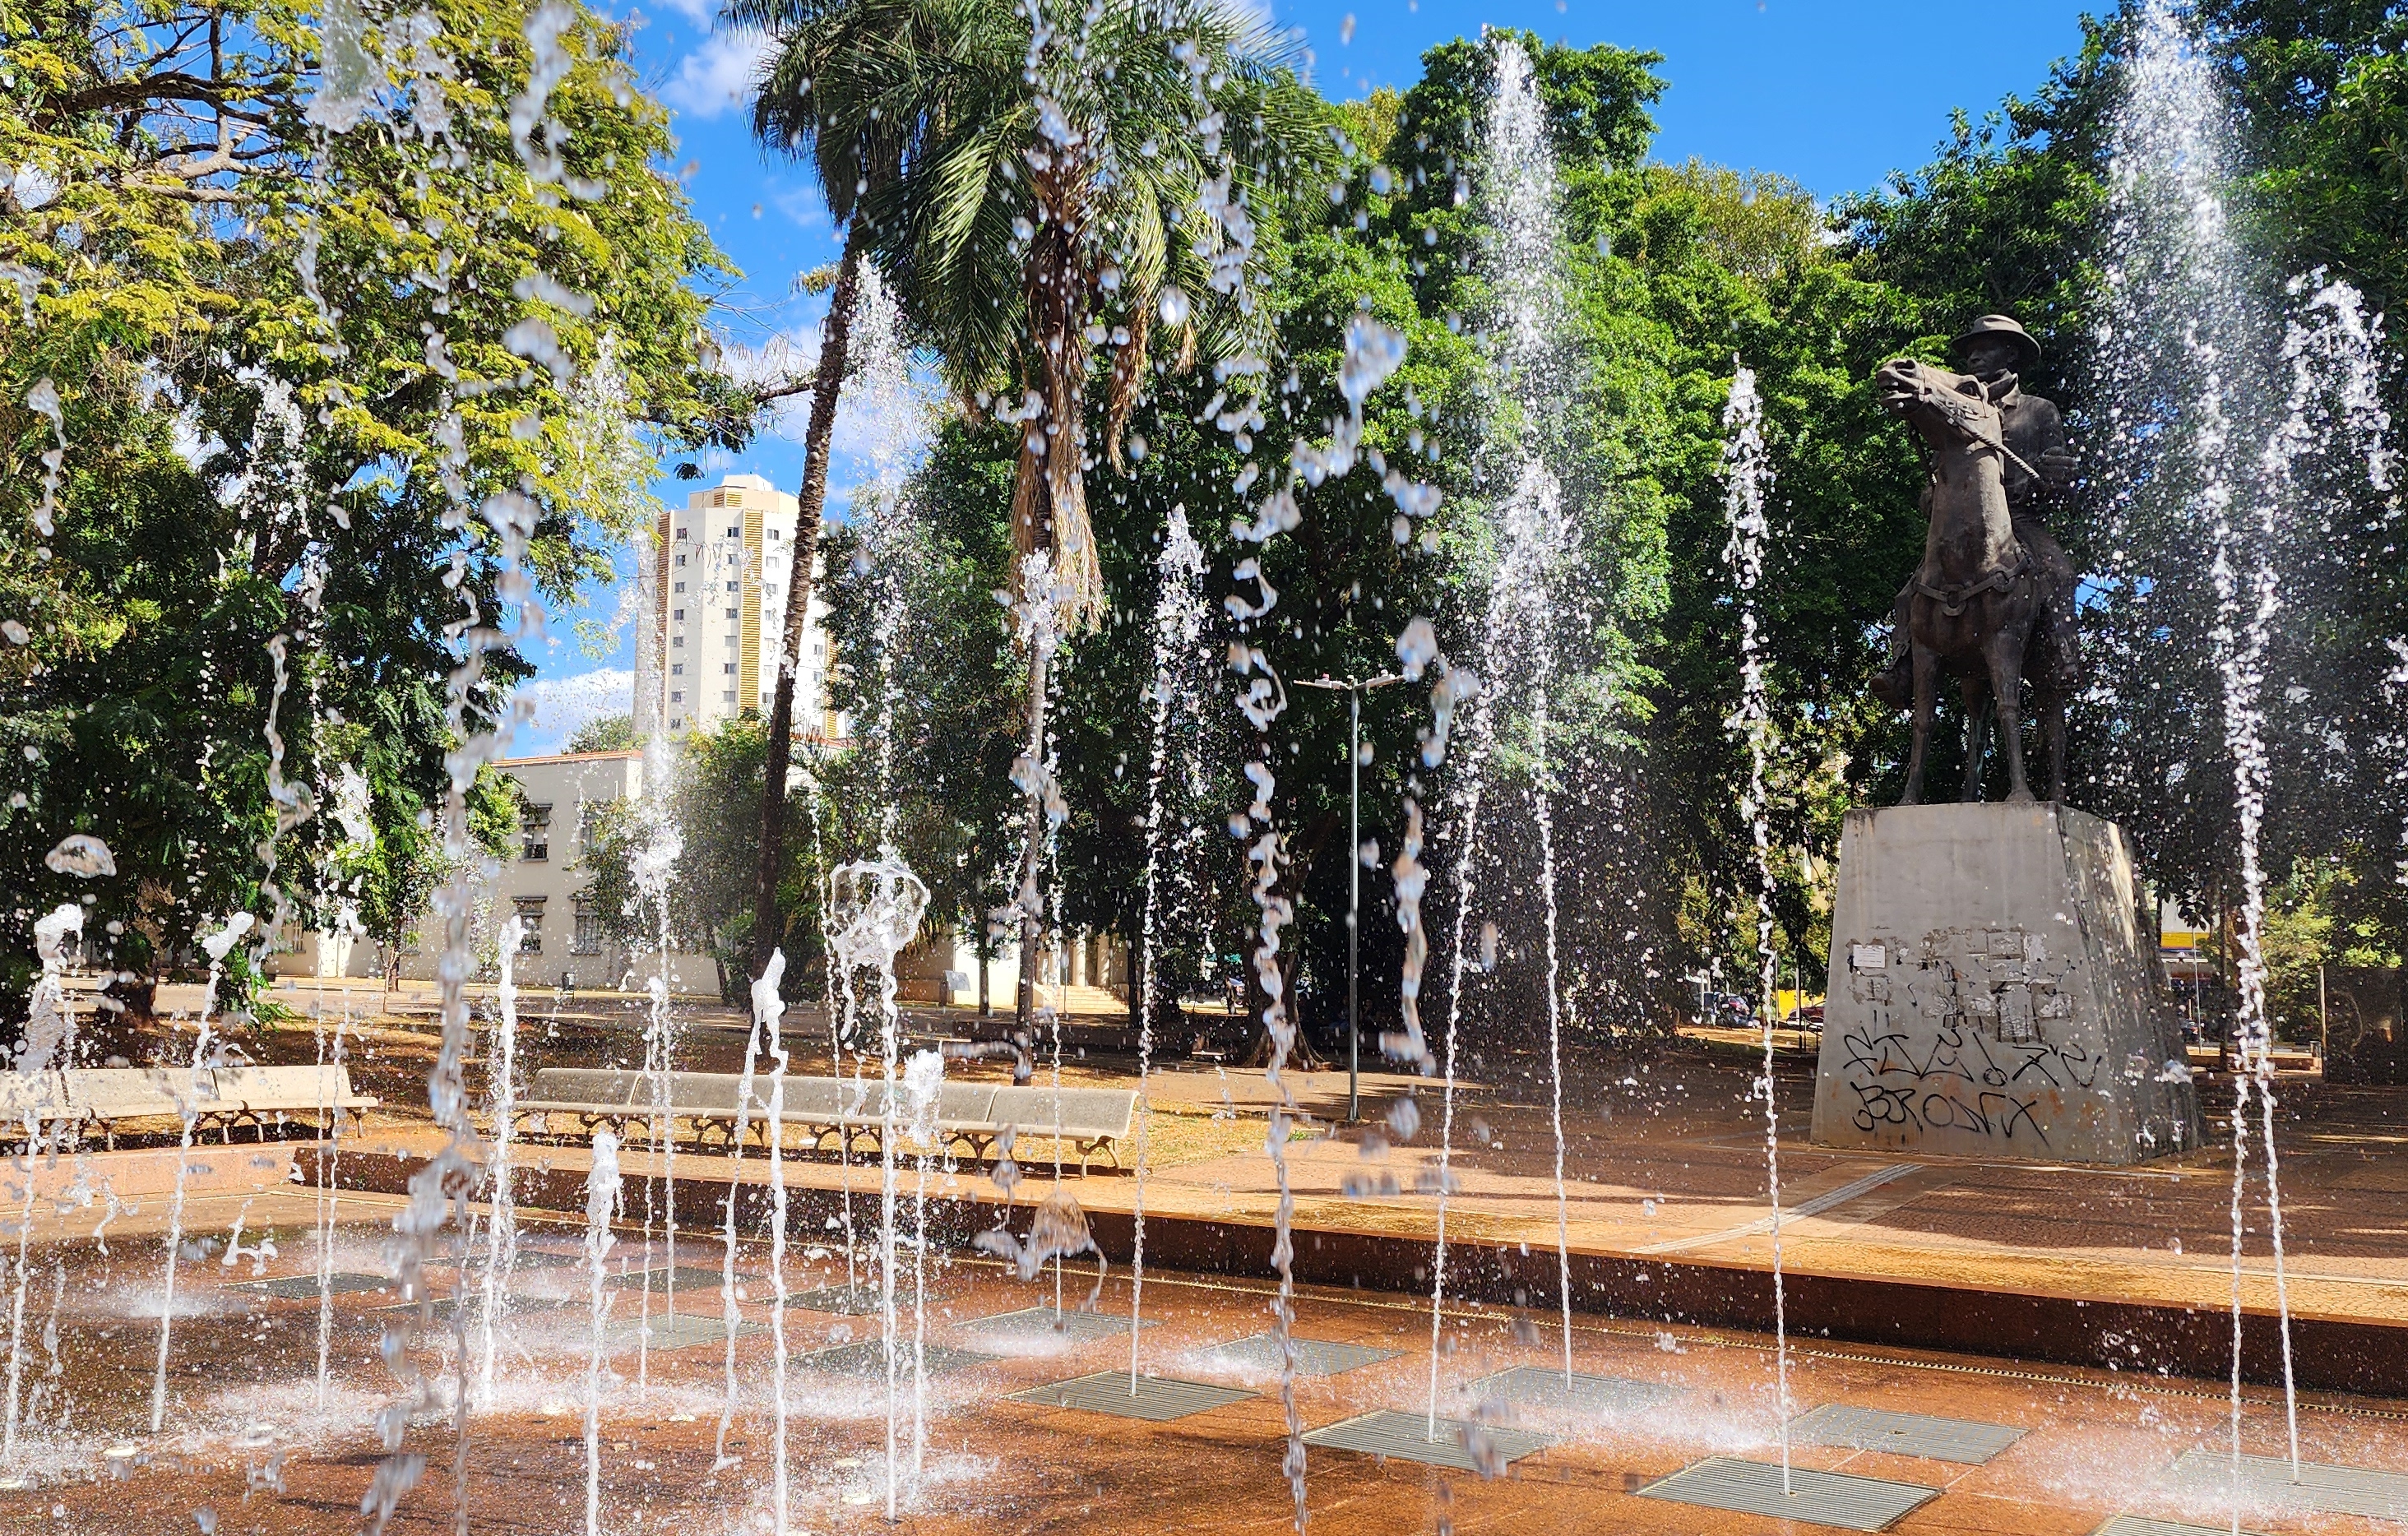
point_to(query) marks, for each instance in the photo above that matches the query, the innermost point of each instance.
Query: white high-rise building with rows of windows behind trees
(719, 610)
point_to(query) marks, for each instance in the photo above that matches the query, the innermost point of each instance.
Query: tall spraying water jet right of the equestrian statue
(2192, 386)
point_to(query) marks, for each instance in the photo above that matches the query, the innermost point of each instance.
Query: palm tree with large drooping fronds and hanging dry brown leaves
(1085, 175)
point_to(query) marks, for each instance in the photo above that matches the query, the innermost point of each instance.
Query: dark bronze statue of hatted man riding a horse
(1993, 601)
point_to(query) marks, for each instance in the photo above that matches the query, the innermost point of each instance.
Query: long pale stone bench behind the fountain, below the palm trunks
(822, 1111)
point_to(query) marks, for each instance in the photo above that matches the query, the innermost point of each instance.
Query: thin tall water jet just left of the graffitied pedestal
(1747, 473)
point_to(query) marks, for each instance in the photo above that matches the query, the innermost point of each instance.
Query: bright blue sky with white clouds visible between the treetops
(1831, 93)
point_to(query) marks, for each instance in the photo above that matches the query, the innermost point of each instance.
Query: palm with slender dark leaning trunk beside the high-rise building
(846, 90)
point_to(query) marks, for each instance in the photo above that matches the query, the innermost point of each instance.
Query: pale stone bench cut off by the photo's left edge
(102, 1099)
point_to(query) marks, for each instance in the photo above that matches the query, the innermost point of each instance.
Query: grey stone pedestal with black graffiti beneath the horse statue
(1995, 993)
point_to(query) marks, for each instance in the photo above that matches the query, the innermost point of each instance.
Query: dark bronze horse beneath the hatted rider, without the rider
(1993, 601)
